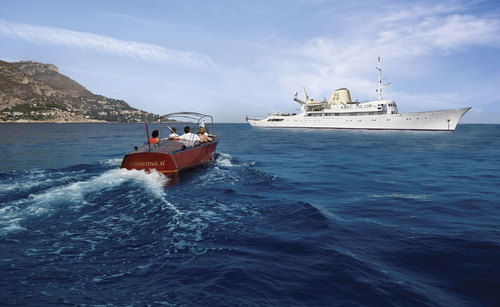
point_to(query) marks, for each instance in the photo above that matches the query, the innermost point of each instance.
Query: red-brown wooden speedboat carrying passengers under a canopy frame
(170, 156)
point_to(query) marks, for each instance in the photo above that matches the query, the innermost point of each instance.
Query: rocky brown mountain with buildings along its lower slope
(32, 91)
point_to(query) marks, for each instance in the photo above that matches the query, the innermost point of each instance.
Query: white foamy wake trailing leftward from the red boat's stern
(48, 191)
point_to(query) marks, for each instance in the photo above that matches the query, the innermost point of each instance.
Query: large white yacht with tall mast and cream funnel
(339, 112)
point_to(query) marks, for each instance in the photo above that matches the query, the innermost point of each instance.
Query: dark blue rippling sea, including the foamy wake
(282, 218)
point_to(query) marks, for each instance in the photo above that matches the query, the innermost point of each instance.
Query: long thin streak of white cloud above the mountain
(108, 45)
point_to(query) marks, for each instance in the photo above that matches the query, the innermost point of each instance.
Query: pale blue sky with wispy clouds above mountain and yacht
(233, 58)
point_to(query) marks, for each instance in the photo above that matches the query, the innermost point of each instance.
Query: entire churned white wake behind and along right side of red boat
(30, 196)
